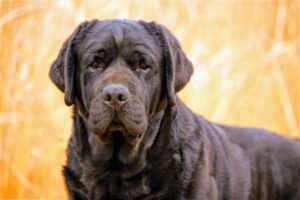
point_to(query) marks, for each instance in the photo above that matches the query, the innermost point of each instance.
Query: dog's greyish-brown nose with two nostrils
(115, 94)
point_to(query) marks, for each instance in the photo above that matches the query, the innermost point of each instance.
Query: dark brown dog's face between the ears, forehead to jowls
(118, 66)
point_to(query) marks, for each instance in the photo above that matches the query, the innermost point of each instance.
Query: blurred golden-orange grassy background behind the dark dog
(245, 55)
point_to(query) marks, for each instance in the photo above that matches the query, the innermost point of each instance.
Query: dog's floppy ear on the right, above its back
(178, 68)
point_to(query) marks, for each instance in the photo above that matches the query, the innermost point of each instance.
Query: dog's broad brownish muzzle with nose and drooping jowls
(116, 112)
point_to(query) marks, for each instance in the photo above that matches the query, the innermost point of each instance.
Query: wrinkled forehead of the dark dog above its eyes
(121, 35)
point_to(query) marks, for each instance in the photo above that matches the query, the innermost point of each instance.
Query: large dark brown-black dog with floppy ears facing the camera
(134, 139)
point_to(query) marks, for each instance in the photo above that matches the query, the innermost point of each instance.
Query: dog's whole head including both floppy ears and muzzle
(120, 73)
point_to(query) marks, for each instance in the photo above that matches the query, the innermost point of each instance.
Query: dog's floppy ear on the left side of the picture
(62, 71)
